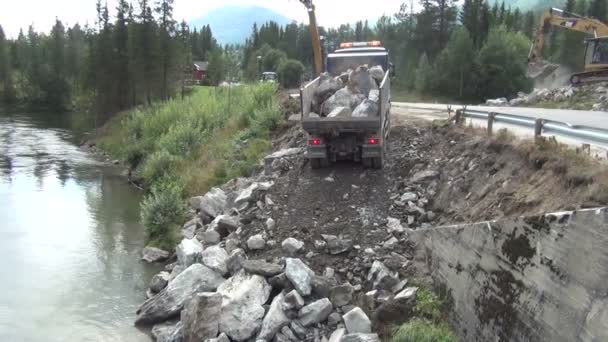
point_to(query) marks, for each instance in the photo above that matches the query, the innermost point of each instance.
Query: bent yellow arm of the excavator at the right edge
(569, 21)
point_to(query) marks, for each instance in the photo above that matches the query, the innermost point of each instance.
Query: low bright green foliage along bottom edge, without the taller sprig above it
(419, 330)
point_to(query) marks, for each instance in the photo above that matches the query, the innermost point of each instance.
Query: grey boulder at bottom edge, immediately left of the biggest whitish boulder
(201, 317)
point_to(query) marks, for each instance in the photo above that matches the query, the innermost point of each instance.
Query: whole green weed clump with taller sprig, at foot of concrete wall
(429, 324)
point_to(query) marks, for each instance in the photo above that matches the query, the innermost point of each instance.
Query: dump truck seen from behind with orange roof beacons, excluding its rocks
(361, 139)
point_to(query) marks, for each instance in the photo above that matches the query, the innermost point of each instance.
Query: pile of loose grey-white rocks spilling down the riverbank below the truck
(228, 283)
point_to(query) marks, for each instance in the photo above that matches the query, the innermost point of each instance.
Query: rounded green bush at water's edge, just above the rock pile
(161, 211)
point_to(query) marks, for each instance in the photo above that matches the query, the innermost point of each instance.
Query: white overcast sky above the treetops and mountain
(15, 14)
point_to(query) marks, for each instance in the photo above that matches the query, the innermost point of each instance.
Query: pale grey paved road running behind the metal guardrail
(573, 117)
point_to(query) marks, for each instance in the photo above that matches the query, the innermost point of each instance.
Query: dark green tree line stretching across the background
(473, 52)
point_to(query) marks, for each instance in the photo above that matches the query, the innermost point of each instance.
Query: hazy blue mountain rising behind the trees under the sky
(232, 24)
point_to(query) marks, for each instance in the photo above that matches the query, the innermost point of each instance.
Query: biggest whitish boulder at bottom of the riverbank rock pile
(242, 310)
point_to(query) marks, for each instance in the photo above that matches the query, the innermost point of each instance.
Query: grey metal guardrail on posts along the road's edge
(541, 126)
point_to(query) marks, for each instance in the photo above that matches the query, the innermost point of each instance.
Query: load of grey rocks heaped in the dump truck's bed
(354, 93)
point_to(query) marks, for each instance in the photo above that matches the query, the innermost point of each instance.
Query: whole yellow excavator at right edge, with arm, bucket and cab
(596, 50)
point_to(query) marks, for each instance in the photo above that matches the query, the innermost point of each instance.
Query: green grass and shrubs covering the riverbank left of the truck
(183, 147)
